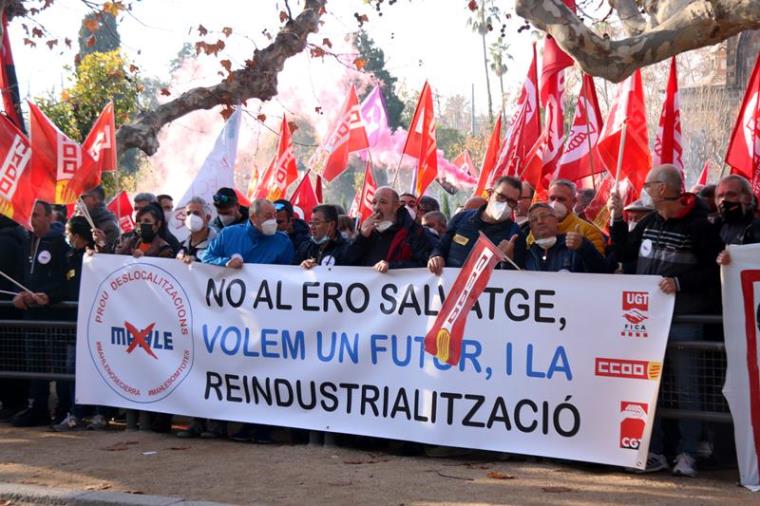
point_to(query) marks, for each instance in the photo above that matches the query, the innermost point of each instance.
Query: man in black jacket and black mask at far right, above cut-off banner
(736, 221)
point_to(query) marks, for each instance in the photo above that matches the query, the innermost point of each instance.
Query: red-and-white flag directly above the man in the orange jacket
(579, 158)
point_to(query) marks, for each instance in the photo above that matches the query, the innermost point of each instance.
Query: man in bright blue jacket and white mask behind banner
(254, 242)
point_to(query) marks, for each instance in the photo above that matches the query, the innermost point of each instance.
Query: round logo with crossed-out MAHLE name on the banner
(139, 332)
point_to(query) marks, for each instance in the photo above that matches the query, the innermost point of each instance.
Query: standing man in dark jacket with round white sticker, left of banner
(44, 273)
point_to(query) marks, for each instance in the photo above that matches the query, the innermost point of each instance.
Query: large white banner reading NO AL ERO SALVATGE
(553, 364)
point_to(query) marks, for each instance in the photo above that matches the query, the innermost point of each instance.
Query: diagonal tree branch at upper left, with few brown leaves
(257, 80)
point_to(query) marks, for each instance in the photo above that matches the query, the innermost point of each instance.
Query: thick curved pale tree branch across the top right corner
(698, 24)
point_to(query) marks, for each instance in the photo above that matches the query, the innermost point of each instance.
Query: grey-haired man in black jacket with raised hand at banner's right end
(678, 243)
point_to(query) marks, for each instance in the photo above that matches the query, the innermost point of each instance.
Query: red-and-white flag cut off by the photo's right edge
(744, 148)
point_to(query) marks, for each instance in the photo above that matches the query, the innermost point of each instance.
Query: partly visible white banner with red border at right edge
(741, 317)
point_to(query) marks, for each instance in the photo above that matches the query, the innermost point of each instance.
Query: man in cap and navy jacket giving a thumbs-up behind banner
(553, 251)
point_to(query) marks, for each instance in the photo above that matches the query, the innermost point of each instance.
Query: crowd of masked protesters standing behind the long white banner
(680, 236)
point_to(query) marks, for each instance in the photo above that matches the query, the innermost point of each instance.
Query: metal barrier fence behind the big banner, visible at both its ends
(45, 350)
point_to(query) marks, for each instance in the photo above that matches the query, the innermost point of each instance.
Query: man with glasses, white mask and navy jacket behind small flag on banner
(493, 219)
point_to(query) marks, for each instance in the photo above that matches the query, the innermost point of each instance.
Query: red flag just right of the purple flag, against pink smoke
(421, 142)
